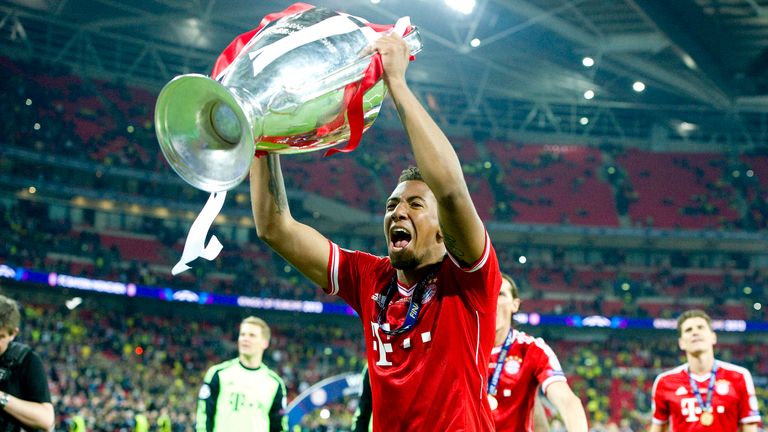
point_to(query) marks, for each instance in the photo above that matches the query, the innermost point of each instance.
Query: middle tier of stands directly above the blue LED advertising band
(551, 283)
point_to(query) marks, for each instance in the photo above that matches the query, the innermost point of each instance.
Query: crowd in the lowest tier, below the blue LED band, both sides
(108, 362)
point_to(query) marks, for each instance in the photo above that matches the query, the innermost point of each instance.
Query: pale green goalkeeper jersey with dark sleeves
(236, 398)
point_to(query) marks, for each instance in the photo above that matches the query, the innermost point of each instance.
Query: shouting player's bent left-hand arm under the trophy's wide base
(301, 245)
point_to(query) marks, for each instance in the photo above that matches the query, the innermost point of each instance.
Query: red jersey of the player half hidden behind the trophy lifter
(530, 363)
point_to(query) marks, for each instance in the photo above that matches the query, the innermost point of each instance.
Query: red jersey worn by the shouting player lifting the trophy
(432, 377)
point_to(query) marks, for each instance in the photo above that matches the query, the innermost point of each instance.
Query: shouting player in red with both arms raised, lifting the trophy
(428, 308)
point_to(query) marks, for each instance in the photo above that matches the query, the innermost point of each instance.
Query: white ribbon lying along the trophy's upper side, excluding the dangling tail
(288, 99)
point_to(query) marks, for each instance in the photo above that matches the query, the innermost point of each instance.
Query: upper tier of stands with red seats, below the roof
(108, 126)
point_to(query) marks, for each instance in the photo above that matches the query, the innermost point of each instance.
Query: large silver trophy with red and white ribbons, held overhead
(304, 80)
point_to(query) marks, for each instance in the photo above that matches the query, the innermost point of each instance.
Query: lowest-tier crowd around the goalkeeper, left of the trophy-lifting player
(108, 364)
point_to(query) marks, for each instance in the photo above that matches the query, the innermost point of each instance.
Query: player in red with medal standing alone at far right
(704, 394)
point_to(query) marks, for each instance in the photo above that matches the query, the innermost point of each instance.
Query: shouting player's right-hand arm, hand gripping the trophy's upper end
(462, 229)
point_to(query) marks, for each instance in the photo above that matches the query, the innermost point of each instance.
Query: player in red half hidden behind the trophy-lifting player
(529, 363)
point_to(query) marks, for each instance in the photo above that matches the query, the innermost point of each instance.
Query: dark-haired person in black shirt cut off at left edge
(25, 403)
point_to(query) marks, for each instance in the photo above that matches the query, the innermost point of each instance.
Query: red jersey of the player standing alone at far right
(733, 400)
